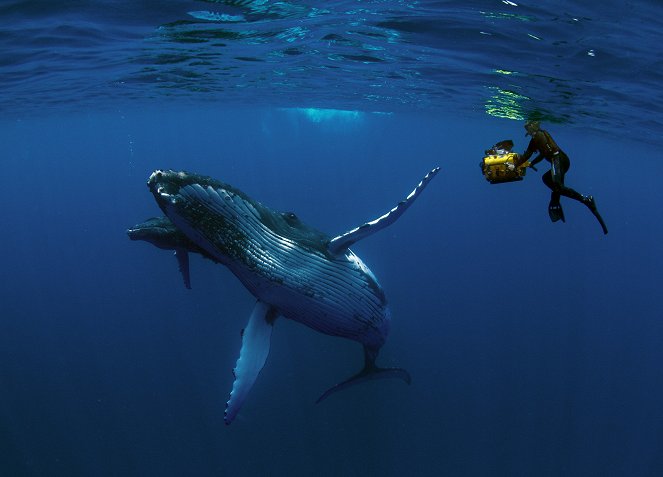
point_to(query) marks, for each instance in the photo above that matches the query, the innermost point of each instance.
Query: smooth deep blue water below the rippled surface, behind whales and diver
(535, 348)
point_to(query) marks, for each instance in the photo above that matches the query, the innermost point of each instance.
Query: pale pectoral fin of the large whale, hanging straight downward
(252, 356)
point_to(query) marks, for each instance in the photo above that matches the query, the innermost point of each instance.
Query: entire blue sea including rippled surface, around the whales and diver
(535, 348)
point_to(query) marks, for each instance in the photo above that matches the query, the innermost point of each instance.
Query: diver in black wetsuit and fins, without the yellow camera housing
(548, 149)
